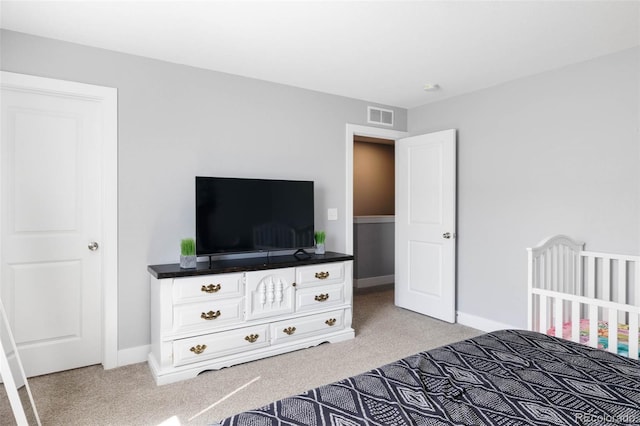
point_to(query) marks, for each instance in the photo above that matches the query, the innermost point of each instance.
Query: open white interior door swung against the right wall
(425, 224)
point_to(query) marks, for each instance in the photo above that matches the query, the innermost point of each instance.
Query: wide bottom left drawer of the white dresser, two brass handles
(215, 345)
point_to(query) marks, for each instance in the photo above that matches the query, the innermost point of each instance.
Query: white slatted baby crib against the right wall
(587, 297)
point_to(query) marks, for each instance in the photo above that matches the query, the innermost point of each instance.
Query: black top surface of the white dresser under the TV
(173, 270)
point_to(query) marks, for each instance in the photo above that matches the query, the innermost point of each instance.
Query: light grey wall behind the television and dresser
(176, 122)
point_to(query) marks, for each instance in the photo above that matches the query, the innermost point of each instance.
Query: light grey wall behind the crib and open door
(558, 152)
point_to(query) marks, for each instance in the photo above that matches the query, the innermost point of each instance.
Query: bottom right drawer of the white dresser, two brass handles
(297, 328)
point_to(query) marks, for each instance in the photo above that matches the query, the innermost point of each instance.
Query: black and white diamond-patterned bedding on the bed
(509, 377)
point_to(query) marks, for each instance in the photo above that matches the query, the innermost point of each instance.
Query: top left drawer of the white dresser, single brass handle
(207, 287)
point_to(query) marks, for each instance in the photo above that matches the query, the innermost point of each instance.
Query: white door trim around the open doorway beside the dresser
(351, 131)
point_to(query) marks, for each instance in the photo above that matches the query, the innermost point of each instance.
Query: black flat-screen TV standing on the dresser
(235, 215)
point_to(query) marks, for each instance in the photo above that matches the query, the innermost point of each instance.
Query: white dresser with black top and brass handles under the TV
(234, 311)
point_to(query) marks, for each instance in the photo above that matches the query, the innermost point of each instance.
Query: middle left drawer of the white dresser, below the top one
(207, 315)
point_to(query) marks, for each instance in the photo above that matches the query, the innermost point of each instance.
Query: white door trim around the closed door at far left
(108, 97)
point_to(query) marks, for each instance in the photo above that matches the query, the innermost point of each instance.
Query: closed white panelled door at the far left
(52, 221)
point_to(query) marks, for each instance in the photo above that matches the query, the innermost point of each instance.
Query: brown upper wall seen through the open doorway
(373, 179)
